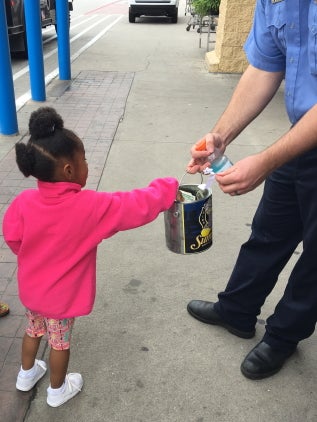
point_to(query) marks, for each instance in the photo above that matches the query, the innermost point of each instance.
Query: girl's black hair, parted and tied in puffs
(49, 142)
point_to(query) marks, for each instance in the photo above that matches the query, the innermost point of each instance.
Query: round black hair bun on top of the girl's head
(44, 121)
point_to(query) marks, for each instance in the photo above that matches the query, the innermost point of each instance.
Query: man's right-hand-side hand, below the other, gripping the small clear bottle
(244, 176)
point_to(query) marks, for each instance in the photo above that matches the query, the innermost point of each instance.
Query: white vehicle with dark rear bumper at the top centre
(167, 8)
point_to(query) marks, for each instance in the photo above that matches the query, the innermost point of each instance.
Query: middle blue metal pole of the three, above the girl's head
(32, 13)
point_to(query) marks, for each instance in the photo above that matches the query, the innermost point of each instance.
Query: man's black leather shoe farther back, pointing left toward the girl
(204, 312)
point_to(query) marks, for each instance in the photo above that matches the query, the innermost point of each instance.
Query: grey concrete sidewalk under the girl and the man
(139, 102)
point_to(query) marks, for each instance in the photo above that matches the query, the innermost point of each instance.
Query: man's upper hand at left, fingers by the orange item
(202, 150)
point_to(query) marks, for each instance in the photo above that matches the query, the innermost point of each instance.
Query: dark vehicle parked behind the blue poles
(16, 21)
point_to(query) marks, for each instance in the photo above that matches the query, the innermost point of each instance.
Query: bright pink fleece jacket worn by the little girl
(54, 231)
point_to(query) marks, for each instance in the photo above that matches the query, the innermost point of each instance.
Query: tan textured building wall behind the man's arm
(235, 20)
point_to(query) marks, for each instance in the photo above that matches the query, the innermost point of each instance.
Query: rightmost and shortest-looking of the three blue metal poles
(62, 20)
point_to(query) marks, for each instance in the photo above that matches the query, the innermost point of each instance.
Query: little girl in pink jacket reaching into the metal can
(54, 230)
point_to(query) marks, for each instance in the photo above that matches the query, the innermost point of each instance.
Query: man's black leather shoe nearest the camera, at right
(263, 361)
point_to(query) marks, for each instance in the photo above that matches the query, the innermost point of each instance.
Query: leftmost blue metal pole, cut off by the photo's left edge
(8, 114)
